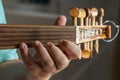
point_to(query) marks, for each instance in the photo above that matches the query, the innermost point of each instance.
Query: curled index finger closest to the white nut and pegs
(71, 50)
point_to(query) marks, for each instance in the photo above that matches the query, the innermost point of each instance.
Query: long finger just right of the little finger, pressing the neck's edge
(46, 61)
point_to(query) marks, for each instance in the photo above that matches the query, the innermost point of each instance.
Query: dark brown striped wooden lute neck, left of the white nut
(12, 35)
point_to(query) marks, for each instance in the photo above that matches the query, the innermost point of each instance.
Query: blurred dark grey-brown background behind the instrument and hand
(103, 66)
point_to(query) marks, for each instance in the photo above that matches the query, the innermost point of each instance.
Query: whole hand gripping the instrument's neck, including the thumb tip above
(50, 58)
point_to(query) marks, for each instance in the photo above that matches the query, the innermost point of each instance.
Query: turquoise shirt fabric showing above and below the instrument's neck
(8, 54)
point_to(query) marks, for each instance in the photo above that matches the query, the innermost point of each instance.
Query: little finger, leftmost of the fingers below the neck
(25, 54)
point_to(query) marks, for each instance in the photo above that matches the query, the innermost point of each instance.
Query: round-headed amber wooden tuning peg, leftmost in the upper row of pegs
(74, 12)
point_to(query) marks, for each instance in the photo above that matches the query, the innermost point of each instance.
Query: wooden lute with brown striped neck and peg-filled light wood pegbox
(12, 35)
